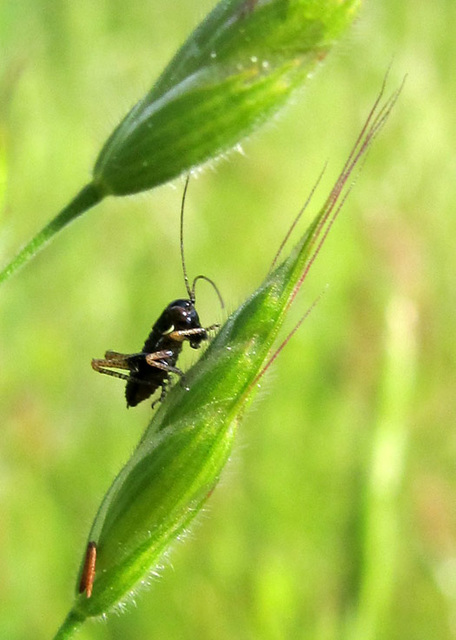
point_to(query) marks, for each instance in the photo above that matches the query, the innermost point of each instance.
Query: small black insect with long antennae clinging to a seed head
(151, 367)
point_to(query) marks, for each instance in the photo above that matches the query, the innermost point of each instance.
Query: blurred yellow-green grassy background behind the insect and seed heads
(336, 517)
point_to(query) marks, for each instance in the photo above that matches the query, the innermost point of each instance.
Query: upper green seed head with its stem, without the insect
(236, 69)
